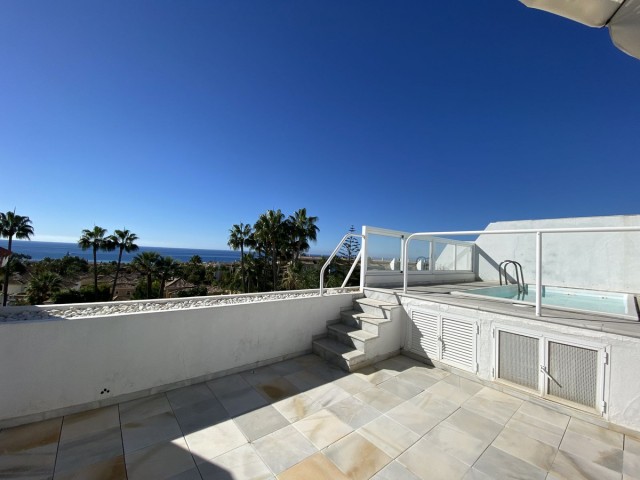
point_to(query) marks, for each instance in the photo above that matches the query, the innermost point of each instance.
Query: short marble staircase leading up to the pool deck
(355, 340)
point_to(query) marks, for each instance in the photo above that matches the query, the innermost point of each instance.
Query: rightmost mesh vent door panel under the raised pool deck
(574, 373)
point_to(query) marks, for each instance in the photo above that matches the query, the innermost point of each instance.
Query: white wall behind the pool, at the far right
(597, 261)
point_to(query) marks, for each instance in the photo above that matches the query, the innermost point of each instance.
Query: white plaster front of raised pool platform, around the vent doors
(623, 397)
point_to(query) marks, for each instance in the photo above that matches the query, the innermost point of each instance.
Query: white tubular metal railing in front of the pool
(537, 231)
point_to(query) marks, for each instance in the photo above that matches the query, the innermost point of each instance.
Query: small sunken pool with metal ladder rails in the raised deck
(620, 305)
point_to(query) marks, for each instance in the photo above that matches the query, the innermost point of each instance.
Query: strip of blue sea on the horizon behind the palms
(40, 250)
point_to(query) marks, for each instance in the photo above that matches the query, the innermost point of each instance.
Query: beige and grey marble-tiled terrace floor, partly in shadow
(303, 419)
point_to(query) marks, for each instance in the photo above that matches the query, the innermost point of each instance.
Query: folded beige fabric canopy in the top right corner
(621, 16)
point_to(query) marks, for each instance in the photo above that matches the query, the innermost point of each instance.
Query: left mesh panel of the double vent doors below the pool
(518, 359)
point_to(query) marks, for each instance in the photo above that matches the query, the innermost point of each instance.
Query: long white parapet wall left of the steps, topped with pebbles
(60, 365)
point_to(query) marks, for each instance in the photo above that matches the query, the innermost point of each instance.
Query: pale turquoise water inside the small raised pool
(594, 301)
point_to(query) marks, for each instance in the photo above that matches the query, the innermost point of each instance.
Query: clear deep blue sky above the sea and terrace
(177, 119)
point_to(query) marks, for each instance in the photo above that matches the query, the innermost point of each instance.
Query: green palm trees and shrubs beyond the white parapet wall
(271, 258)
